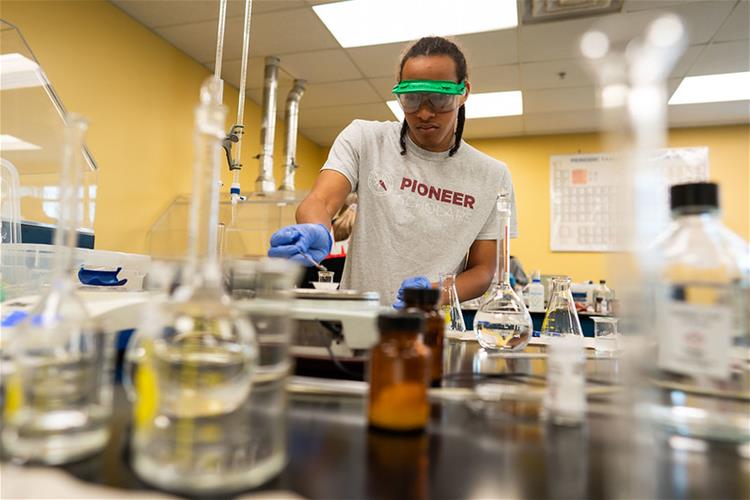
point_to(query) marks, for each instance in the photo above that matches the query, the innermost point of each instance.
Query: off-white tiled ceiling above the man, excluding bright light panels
(344, 84)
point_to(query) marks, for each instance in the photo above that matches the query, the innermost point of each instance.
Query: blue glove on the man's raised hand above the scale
(292, 241)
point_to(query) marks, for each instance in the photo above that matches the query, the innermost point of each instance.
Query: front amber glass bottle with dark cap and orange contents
(399, 374)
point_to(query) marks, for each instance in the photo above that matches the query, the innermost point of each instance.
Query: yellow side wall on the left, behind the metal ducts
(138, 93)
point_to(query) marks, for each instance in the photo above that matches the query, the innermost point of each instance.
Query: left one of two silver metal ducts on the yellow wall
(265, 182)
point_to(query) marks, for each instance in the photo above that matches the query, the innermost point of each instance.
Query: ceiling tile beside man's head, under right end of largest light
(491, 48)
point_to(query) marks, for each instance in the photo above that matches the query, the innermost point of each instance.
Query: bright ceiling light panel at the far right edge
(713, 88)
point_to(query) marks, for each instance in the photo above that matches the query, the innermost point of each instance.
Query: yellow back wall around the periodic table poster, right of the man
(528, 160)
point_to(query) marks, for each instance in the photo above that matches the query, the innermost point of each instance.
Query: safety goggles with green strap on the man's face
(442, 96)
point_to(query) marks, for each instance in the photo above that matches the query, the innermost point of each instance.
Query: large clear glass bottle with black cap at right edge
(698, 387)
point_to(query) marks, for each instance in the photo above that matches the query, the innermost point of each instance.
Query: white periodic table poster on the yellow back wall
(585, 194)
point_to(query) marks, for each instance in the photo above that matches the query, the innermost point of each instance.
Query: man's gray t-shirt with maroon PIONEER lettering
(417, 214)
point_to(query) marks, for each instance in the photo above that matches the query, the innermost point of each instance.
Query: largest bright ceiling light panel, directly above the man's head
(356, 23)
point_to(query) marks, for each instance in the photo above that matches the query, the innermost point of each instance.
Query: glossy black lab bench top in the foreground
(473, 447)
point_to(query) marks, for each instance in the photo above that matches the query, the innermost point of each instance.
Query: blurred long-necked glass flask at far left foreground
(59, 396)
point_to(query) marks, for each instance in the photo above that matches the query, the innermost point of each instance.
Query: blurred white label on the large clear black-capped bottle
(695, 339)
